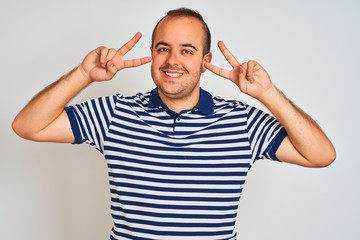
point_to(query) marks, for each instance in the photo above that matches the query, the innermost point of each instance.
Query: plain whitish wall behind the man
(310, 48)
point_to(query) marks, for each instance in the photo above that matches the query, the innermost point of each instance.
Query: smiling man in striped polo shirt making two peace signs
(177, 157)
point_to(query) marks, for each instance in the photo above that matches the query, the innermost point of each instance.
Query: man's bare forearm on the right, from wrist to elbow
(304, 133)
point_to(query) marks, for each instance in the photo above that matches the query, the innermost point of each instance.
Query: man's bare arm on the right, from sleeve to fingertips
(306, 144)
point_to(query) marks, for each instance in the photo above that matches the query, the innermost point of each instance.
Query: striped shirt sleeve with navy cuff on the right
(265, 134)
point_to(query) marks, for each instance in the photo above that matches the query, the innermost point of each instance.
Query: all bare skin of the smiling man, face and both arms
(177, 64)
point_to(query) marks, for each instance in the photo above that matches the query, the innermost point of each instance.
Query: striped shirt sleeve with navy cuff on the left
(90, 120)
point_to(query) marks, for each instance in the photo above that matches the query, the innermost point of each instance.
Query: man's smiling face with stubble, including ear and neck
(177, 57)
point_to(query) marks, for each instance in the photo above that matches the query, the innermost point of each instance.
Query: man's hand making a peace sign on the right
(250, 77)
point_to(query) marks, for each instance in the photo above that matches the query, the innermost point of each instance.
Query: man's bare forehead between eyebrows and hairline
(180, 30)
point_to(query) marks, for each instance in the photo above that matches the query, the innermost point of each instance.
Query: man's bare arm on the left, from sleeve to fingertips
(44, 118)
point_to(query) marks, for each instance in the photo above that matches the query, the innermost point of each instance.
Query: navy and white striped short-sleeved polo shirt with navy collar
(175, 176)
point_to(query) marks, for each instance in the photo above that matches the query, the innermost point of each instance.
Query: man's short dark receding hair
(186, 12)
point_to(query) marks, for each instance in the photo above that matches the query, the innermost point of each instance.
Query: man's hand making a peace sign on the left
(102, 63)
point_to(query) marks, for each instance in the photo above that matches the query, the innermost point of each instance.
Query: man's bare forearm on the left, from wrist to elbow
(49, 104)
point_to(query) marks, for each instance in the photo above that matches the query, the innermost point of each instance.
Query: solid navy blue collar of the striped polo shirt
(205, 104)
